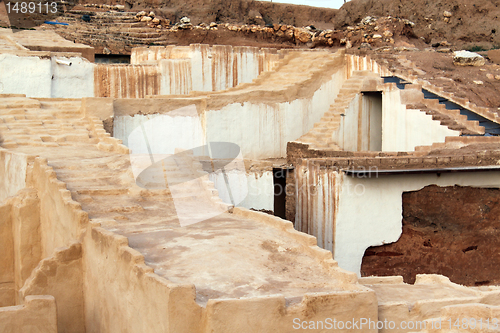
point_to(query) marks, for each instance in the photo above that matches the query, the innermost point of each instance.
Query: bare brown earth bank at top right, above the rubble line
(470, 23)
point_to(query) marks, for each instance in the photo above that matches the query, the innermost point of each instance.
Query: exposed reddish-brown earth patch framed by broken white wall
(453, 231)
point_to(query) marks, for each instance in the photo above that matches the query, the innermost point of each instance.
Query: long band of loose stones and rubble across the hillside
(119, 31)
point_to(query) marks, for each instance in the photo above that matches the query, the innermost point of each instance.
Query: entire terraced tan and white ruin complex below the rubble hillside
(136, 198)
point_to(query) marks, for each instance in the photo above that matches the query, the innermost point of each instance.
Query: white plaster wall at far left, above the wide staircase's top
(41, 76)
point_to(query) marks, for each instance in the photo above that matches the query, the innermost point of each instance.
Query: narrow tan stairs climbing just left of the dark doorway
(320, 136)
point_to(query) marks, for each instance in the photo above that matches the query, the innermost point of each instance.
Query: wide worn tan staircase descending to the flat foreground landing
(207, 248)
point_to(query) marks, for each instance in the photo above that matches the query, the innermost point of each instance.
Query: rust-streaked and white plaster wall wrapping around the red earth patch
(361, 212)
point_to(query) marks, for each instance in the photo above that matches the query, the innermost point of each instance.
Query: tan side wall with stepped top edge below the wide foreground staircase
(122, 294)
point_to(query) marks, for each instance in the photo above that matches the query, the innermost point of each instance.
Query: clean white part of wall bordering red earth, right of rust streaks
(372, 215)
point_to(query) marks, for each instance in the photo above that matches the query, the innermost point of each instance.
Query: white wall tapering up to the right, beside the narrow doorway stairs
(263, 130)
